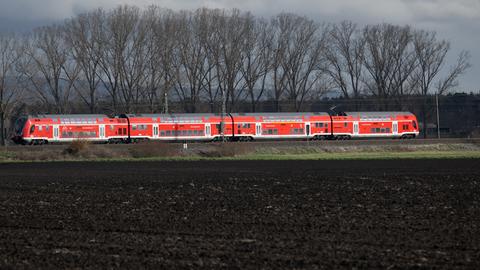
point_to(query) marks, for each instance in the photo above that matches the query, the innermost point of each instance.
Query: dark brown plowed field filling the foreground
(241, 214)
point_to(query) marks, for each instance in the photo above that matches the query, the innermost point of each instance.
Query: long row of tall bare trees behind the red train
(133, 60)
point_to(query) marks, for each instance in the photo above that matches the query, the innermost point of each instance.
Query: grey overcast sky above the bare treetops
(455, 20)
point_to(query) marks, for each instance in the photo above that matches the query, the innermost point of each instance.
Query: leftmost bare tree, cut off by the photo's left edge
(10, 90)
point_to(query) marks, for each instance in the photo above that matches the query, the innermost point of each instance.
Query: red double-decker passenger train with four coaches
(42, 129)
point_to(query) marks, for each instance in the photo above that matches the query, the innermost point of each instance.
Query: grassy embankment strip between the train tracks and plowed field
(83, 151)
